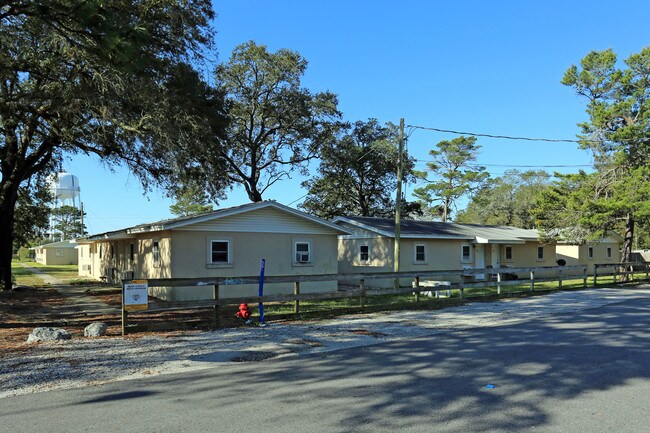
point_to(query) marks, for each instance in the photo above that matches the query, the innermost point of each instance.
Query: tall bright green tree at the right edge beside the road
(618, 134)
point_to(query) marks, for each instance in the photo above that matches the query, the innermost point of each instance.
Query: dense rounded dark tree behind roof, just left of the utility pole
(358, 174)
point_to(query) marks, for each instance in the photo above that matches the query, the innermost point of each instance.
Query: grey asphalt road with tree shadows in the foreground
(579, 372)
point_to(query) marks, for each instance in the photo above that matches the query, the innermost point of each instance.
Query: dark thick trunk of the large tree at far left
(8, 197)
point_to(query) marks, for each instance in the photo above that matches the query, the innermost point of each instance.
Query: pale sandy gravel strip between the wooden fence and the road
(90, 361)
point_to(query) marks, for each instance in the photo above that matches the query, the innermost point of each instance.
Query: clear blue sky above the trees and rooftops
(486, 67)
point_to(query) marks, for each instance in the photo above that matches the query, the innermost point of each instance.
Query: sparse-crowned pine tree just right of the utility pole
(455, 175)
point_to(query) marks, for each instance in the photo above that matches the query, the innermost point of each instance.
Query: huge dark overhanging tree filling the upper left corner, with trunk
(110, 78)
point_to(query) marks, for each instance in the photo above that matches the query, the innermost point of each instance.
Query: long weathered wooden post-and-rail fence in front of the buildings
(496, 279)
